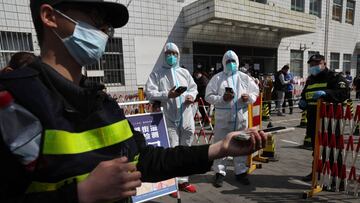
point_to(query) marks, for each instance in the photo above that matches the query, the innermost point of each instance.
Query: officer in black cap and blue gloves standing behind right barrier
(321, 83)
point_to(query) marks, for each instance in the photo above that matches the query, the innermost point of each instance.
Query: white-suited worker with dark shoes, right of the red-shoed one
(230, 91)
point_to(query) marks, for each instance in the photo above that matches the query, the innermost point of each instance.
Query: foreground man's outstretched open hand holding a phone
(231, 147)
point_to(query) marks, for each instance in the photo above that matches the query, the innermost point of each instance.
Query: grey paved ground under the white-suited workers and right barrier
(275, 182)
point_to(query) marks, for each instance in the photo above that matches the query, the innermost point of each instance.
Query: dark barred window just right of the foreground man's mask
(110, 68)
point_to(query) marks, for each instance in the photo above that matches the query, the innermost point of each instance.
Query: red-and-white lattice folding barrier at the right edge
(331, 172)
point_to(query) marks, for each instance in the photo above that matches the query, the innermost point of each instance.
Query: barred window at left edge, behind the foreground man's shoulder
(12, 42)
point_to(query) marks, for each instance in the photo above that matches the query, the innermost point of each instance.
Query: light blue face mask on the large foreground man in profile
(87, 44)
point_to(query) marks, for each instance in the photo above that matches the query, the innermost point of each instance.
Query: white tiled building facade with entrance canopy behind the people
(266, 34)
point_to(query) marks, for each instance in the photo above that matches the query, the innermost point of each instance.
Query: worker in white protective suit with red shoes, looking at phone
(162, 86)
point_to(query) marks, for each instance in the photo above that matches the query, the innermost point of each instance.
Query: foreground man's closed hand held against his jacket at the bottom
(110, 180)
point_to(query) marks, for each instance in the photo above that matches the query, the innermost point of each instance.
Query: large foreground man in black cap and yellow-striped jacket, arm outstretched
(85, 150)
